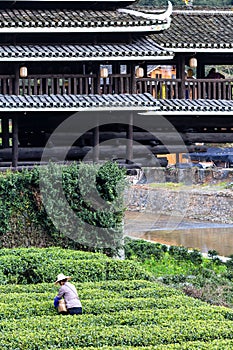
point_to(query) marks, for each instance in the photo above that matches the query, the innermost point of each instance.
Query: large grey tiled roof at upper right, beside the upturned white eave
(202, 31)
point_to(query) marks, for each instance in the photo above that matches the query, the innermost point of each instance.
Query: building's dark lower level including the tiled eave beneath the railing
(117, 129)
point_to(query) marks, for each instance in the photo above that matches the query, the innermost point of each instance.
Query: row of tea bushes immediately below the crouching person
(124, 318)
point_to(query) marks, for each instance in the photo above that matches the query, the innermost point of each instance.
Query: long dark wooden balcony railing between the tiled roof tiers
(85, 84)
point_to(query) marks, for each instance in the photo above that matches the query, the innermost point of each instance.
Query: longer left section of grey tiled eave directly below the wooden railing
(76, 102)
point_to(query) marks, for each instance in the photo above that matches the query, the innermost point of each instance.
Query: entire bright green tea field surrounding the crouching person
(123, 307)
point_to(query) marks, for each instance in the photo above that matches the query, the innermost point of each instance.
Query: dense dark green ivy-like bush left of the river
(80, 206)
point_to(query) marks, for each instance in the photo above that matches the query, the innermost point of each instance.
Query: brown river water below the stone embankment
(188, 233)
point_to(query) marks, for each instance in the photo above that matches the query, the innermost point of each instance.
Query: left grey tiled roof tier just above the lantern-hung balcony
(138, 49)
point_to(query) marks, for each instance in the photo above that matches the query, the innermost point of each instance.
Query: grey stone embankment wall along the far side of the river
(211, 203)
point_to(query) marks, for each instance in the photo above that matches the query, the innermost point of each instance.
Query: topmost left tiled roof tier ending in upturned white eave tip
(55, 20)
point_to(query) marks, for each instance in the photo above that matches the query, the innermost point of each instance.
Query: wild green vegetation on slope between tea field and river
(208, 279)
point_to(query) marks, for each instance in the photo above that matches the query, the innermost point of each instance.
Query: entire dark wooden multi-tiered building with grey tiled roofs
(96, 60)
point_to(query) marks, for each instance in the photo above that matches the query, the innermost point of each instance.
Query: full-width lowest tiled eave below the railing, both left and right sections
(116, 101)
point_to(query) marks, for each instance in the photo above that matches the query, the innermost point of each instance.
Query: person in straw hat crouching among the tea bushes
(68, 293)
